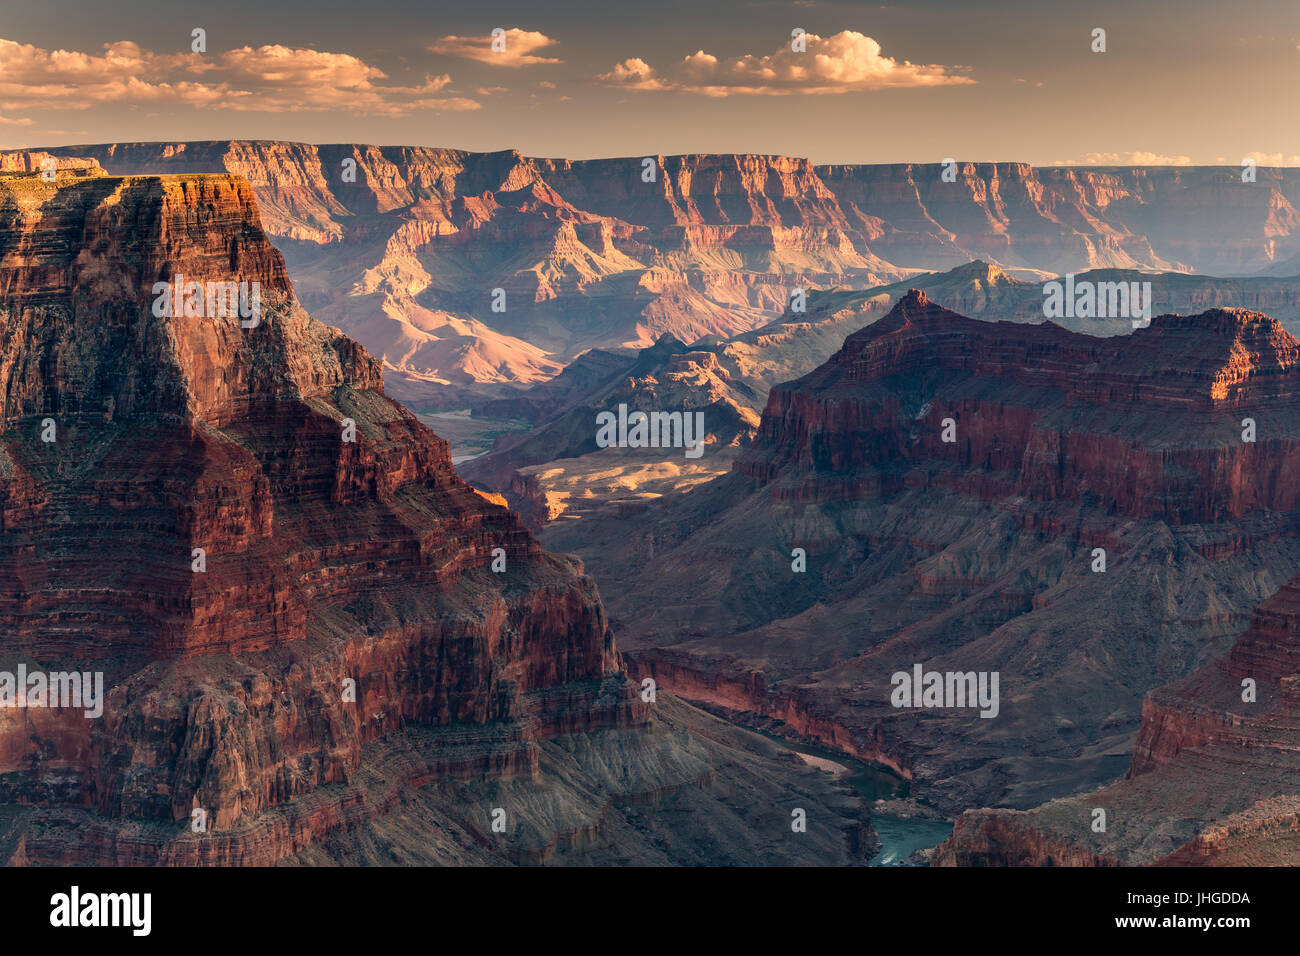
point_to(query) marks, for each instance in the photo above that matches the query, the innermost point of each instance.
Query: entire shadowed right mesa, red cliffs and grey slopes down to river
(980, 553)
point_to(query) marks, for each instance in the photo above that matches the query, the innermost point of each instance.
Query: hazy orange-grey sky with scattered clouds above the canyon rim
(1198, 83)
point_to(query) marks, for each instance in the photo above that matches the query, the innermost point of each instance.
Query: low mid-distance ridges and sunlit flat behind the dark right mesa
(553, 473)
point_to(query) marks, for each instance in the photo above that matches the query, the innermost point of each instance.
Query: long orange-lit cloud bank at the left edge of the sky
(270, 79)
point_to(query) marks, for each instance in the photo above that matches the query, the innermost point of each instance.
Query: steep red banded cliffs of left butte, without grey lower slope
(326, 561)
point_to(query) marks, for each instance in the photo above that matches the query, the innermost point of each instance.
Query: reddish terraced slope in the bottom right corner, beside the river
(1212, 781)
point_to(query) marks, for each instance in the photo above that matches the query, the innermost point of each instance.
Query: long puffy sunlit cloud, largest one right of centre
(844, 63)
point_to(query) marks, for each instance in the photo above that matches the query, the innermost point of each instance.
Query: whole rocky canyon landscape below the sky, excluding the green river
(909, 468)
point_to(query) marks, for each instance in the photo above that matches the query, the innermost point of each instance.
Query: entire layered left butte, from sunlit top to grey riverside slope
(291, 594)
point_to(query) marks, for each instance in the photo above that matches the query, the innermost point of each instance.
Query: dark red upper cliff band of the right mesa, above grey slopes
(877, 412)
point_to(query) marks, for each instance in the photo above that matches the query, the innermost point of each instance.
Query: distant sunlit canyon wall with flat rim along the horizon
(404, 248)
